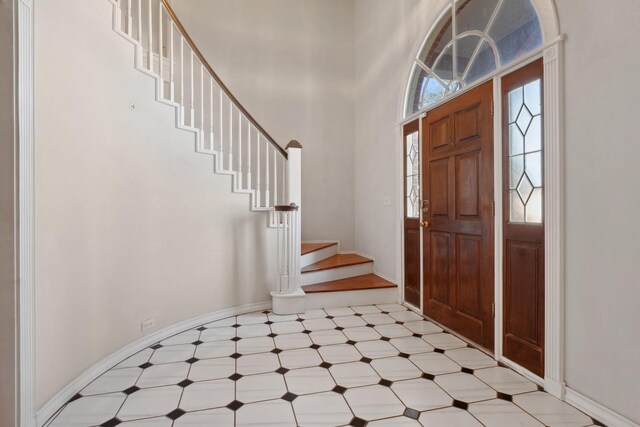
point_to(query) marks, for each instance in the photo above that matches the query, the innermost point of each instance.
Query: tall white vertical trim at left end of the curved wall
(26, 265)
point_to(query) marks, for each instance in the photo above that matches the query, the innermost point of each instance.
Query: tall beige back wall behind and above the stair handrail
(291, 63)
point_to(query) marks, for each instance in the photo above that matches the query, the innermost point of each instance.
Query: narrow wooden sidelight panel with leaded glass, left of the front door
(411, 149)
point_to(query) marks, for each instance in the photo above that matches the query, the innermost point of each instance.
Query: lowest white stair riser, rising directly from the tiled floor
(352, 298)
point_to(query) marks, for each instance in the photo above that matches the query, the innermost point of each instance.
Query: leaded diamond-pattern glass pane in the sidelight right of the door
(525, 153)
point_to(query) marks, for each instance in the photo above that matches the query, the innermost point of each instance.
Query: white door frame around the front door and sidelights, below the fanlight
(552, 54)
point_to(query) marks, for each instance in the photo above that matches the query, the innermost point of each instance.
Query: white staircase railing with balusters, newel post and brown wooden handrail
(224, 129)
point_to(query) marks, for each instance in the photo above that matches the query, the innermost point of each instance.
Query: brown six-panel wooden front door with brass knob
(458, 220)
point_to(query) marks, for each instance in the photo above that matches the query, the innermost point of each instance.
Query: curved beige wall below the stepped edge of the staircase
(131, 223)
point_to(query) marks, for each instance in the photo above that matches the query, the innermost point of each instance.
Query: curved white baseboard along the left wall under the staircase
(63, 396)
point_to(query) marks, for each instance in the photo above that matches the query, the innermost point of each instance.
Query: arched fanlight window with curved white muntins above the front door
(473, 38)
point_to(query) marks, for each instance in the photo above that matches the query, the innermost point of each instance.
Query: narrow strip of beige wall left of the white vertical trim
(7, 221)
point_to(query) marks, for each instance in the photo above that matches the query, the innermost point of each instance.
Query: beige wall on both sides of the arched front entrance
(602, 202)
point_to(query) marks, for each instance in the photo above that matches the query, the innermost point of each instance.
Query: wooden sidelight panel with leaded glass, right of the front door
(523, 225)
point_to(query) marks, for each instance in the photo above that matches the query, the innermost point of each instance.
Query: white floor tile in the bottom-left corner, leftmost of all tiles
(91, 410)
